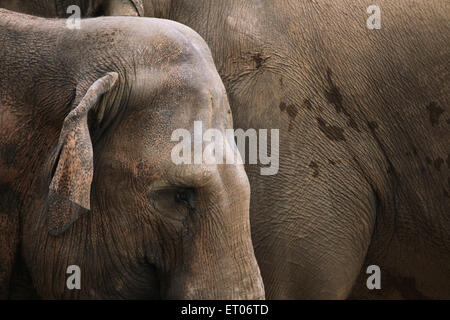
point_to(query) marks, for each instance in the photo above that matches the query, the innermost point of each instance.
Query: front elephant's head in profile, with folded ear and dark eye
(86, 122)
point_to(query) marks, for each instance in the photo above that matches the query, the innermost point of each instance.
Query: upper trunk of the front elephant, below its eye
(218, 260)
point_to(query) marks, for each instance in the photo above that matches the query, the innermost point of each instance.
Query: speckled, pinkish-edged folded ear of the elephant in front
(70, 187)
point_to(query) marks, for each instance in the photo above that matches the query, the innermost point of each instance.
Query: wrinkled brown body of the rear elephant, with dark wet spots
(364, 153)
